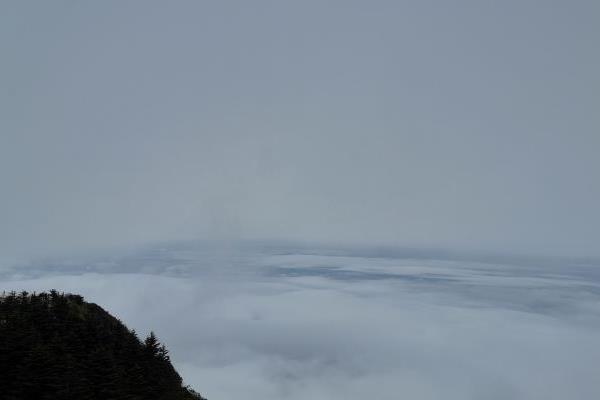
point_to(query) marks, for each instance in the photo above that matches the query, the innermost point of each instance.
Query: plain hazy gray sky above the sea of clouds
(470, 124)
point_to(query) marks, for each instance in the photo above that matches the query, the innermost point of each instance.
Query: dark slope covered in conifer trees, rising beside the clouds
(57, 346)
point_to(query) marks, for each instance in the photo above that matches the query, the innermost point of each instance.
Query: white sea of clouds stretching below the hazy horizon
(283, 323)
